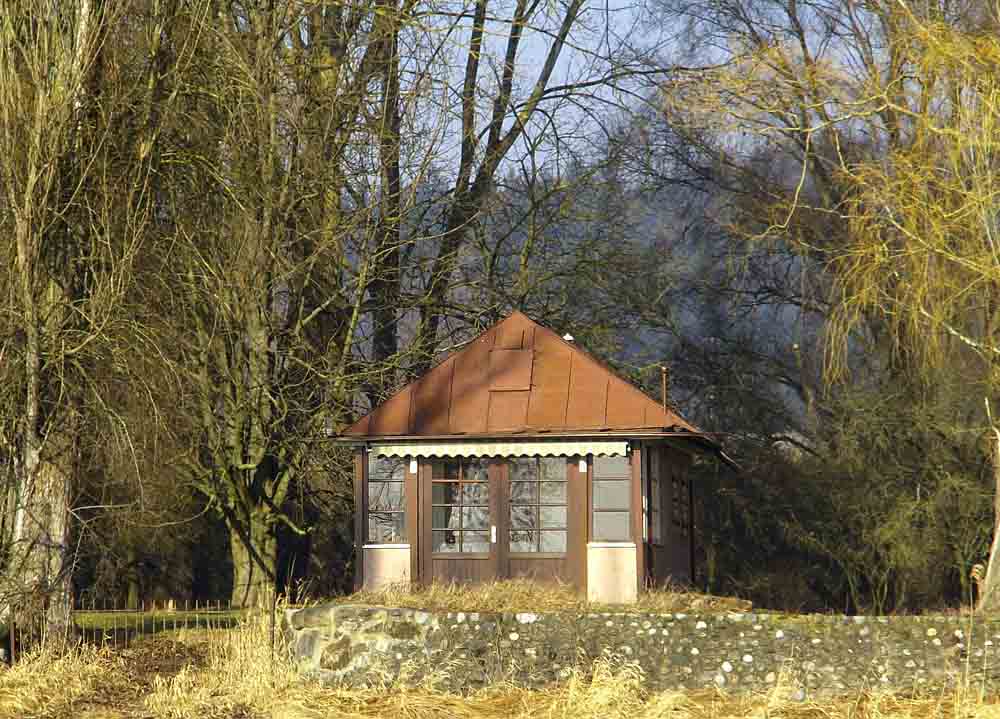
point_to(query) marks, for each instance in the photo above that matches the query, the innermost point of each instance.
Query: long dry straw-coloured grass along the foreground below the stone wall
(235, 678)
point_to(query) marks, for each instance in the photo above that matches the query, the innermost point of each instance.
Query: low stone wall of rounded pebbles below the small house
(814, 655)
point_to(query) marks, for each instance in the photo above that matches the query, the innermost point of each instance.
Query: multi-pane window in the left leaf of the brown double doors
(460, 515)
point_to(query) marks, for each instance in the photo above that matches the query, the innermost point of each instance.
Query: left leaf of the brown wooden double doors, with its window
(460, 500)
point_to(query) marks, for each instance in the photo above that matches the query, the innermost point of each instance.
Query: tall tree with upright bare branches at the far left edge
(77, 133)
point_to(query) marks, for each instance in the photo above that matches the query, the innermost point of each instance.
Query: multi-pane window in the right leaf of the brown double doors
(537, 504)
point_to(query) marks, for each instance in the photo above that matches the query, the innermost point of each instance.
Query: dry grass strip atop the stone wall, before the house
(519, 595)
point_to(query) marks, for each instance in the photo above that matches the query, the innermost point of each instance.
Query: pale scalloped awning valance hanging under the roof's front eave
(553, 448)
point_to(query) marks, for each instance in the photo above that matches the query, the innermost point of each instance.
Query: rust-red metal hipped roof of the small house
(518, 377)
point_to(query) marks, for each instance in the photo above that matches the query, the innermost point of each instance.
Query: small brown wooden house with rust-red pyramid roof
(520, 455)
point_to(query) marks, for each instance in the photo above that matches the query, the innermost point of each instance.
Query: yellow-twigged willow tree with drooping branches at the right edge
(880, 127)
